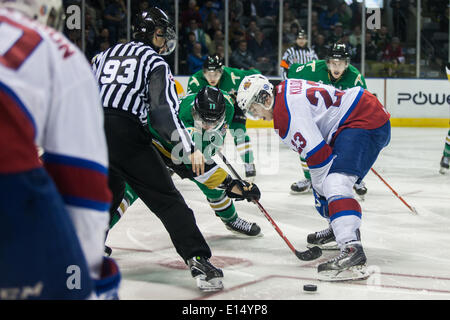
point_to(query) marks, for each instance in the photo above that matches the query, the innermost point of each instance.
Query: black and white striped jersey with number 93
(135, 79)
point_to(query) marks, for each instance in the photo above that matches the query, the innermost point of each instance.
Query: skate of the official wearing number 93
(207, 276)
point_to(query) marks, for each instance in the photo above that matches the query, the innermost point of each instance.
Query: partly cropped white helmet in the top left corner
(47, 12)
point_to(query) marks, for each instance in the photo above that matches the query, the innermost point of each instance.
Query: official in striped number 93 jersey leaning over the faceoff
(137, 86)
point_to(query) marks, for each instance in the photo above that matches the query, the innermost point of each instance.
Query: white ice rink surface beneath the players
(408, 255)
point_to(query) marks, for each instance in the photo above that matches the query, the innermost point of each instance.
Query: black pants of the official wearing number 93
(132, 159)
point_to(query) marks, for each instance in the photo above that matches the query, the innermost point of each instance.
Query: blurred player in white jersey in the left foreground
(54, 209)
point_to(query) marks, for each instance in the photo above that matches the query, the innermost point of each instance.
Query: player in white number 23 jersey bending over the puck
(340, 134)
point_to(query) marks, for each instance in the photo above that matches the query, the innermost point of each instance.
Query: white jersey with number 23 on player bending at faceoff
(308, 117)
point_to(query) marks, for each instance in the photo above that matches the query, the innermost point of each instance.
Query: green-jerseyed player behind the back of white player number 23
(337, 71)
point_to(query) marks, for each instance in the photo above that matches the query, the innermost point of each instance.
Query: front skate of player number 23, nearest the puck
(350, 264)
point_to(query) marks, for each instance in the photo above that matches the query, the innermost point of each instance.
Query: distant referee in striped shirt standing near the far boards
(298, 53)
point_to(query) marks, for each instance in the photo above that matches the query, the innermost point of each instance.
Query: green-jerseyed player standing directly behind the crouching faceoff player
(215, 74)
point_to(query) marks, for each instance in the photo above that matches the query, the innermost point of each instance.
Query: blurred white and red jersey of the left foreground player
(49, 98)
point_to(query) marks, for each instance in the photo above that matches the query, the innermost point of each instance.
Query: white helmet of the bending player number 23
(254, 89)
